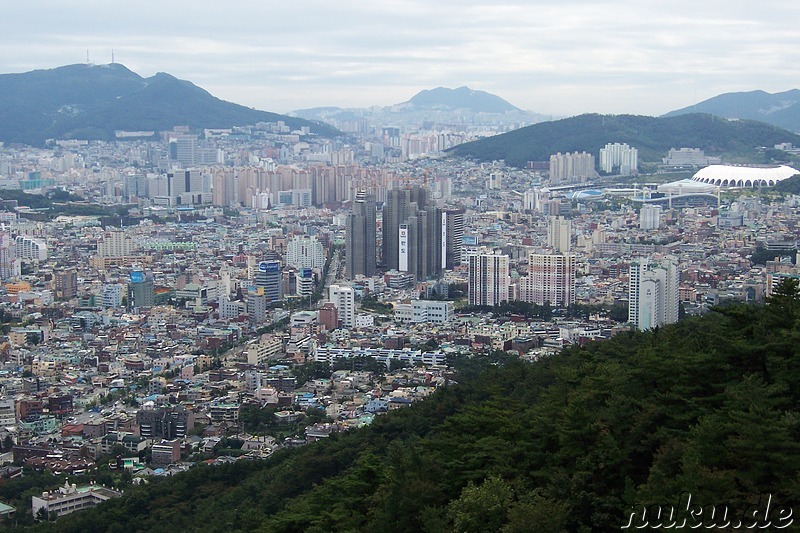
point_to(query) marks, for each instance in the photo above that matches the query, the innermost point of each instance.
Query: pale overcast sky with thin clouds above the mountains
(561, 57)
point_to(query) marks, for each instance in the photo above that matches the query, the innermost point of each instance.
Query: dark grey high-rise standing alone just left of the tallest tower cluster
(360, 238)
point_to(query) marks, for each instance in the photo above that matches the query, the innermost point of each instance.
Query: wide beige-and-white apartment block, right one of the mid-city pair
(551, 278)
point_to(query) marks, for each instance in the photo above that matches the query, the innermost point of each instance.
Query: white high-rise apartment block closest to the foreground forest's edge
(653, 296)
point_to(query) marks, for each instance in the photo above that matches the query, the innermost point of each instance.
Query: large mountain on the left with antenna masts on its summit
(92, 101)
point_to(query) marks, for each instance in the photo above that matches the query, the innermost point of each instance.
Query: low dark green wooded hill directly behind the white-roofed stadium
(653, 137)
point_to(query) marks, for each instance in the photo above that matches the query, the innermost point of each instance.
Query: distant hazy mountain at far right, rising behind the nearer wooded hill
(779, 109)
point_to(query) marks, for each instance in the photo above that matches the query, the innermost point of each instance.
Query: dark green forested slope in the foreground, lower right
(574, 442)
